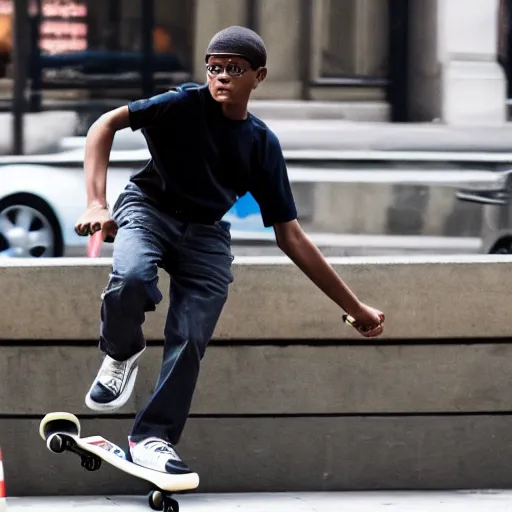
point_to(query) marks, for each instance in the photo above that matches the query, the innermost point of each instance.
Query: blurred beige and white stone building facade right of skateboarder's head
(424, 60)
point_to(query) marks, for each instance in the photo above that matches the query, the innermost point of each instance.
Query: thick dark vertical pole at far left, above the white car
(19, 72)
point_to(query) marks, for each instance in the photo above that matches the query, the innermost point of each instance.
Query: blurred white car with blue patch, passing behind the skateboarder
(42, 196)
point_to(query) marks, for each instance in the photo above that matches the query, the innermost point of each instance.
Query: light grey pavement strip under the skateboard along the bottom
(410, 501)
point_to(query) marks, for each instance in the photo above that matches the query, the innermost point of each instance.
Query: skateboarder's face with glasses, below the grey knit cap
(231, 79)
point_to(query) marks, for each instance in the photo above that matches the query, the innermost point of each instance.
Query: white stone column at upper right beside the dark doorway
(454, 73)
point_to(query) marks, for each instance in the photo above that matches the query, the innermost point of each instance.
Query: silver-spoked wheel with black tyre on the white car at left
(28, 228)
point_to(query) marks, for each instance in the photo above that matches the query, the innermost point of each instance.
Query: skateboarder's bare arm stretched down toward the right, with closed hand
(292, 240)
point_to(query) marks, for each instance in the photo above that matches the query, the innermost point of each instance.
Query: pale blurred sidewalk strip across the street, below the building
(44, 130)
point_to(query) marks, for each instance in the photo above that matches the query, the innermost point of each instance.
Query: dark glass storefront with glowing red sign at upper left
(95, 49)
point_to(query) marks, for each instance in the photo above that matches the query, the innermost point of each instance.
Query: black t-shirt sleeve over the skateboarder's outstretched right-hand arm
(271, 186)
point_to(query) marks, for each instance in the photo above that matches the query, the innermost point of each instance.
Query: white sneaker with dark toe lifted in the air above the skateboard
(114, 383)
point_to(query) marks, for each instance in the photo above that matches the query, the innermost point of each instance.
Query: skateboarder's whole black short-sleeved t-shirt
(201, 161)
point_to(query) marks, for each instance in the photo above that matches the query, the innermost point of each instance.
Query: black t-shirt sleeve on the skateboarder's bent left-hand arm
(148, 112)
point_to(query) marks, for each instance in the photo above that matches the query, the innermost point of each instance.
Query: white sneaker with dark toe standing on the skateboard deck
(159, 455)
